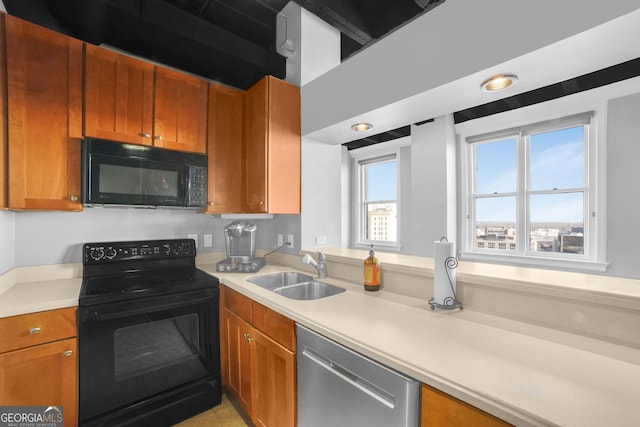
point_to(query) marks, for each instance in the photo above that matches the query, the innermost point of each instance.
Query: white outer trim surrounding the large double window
(595, 101)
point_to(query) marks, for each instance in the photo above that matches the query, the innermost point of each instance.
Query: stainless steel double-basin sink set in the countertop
(295, 285)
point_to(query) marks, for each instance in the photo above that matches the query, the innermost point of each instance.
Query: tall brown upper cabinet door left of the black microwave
(44, 93)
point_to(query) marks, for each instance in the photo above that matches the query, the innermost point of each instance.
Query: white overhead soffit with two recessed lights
(543, 51)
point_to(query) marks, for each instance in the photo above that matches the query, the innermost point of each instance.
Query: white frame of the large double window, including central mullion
(527, 121)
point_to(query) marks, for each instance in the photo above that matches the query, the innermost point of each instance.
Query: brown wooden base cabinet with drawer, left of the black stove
(38, 361)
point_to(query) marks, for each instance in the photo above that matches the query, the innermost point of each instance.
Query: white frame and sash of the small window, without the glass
(360, 158)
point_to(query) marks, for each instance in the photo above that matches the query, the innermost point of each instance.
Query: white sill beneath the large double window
(536, 262)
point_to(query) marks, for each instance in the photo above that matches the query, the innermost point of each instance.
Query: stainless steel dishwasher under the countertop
(339, 387)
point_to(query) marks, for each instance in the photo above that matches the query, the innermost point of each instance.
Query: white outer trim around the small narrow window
(357, 220)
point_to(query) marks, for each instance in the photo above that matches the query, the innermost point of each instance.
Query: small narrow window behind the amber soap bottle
(376, 202)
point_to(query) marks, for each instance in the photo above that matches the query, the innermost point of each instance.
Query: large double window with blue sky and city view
(531, 193)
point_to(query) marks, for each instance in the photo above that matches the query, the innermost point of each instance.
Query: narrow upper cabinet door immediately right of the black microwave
(224, 148)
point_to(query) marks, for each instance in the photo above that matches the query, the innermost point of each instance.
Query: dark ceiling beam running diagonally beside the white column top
(340, 15)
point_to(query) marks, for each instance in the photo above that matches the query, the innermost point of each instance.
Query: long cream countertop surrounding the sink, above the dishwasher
(524, 374)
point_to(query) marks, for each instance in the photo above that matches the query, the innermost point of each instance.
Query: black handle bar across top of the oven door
(142, 306)
